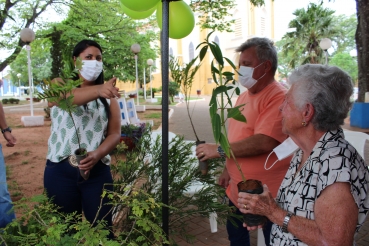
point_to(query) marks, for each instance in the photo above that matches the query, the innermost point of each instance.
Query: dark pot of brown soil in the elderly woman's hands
(252, 186)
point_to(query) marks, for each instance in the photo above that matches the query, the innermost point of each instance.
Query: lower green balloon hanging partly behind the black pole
(181, 19)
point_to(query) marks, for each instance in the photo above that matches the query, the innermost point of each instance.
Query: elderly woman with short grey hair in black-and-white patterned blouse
(323, 198)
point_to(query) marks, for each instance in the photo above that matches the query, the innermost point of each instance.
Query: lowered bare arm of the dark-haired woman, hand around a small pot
(111, 140)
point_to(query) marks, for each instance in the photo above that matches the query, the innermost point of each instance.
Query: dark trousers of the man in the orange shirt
(239, 235)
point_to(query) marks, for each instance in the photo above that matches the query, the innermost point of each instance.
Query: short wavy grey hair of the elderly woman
(328, 89)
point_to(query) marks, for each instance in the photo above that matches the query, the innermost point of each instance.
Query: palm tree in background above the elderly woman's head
(311, 25)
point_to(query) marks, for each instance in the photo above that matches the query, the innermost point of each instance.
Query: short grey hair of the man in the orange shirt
(265, 50)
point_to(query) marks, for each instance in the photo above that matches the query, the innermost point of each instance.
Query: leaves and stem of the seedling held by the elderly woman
(220, 99)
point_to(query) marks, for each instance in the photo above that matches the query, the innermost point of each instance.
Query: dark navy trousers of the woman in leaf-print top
(72, 193)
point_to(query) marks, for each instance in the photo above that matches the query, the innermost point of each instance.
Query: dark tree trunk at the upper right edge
(362, 46)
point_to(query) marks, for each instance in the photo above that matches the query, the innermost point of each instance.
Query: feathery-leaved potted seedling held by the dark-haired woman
(60, 93)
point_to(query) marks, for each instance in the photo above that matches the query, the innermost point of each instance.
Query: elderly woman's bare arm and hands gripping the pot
(333, 225)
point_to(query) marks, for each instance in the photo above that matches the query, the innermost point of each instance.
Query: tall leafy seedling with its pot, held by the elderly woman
(221, 109)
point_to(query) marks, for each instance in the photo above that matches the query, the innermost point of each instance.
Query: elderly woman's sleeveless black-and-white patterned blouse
(332, 160)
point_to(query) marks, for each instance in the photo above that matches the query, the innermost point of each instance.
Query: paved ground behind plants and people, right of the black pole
(179, 123)
